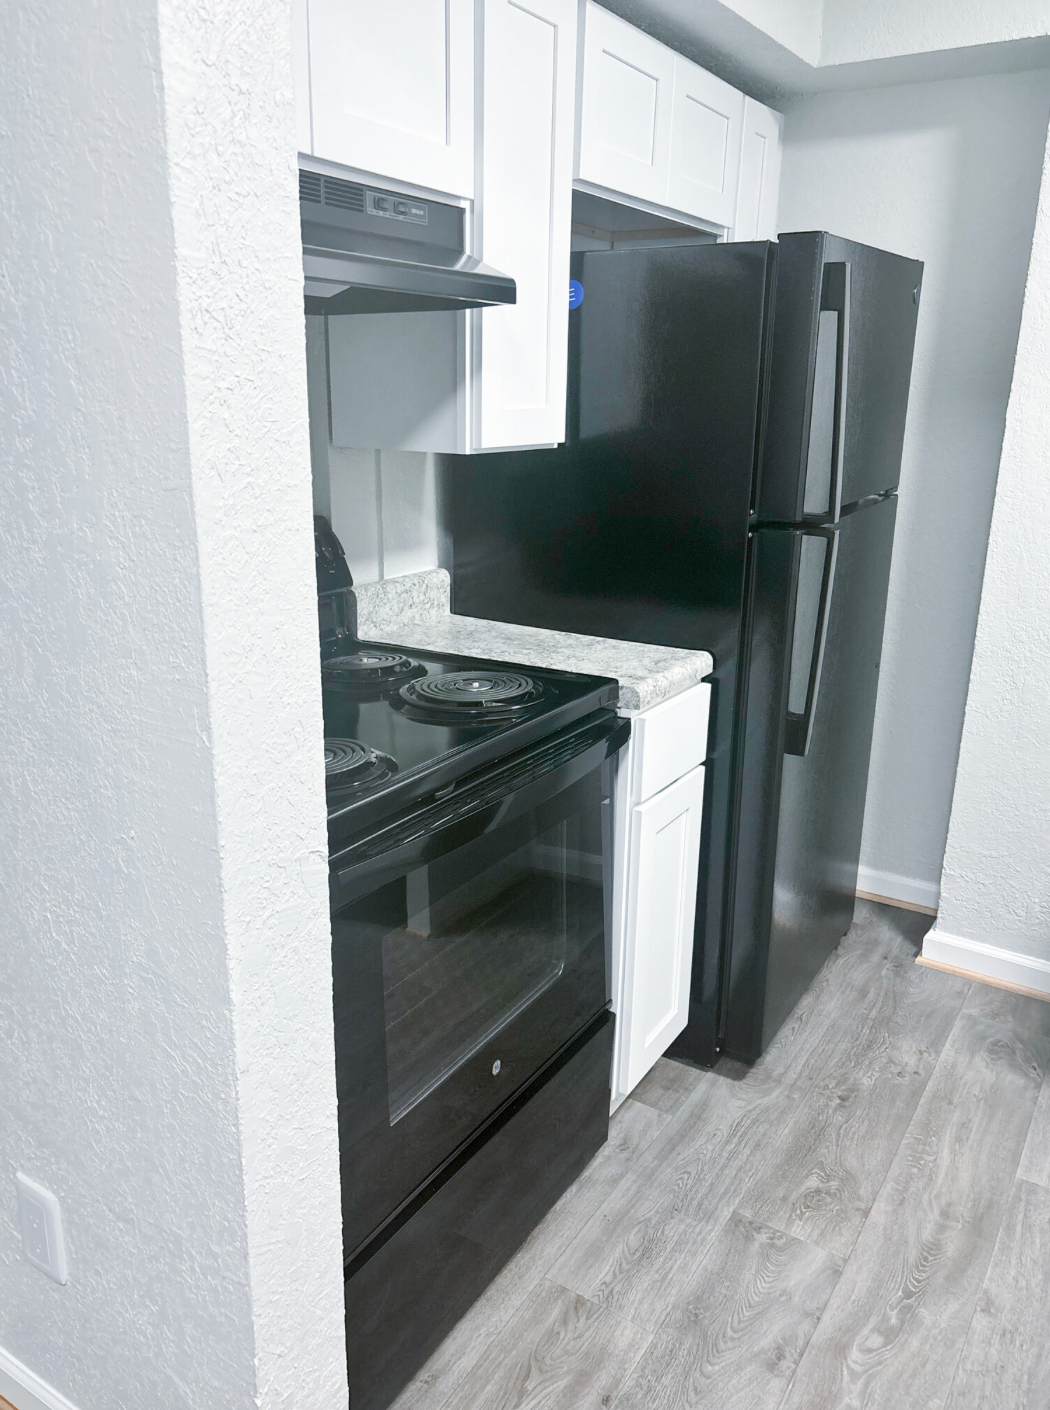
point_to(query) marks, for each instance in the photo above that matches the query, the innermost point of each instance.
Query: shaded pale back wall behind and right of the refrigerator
(949, 174)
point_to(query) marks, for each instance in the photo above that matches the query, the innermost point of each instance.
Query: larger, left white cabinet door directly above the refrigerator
(625, 135)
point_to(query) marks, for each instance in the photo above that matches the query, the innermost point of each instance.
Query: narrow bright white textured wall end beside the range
(230, 132)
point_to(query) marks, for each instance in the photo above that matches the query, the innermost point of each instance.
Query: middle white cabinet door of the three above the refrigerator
(707, 125)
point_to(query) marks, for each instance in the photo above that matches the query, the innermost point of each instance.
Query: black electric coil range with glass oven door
(470, 868)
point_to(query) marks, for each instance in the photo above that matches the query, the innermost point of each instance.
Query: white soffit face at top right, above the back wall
(862, 30)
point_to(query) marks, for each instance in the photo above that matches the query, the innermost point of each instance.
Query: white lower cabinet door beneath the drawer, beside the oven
(662, 902)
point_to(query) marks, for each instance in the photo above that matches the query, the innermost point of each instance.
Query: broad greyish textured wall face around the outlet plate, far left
(118, 1075)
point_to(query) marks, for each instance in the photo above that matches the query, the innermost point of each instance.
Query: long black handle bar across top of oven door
(478, 806)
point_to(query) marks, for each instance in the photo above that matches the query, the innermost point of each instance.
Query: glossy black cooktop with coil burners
(402, 724)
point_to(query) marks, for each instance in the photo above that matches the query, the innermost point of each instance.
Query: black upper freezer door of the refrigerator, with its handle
(839, 374)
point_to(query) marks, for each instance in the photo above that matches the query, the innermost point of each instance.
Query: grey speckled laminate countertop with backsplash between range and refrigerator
(414, 613)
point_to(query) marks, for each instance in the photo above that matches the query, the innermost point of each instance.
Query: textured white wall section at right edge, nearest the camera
(996, 890)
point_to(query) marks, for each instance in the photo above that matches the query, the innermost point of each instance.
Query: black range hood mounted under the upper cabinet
(367, 250)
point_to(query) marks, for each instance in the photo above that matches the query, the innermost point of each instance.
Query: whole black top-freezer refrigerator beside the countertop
(729, 479)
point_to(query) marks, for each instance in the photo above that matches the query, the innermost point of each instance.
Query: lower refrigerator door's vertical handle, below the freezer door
(818, 553)
